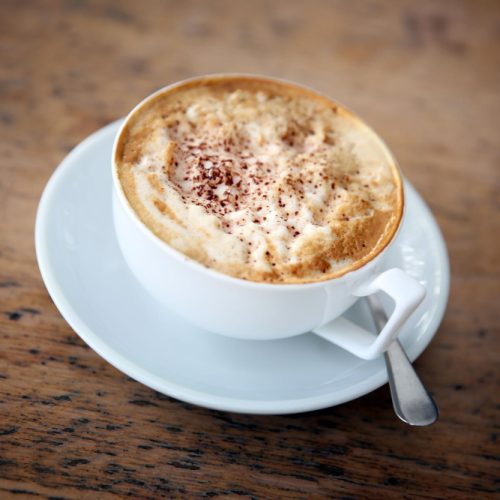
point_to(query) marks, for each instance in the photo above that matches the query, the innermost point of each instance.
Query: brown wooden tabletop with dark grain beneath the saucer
(426, 75)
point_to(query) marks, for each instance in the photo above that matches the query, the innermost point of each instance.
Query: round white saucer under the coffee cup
(93, 289)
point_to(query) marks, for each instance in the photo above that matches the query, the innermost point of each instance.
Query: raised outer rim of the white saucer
(173, 389)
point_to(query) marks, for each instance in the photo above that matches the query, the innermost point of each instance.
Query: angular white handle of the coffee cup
(407, 294)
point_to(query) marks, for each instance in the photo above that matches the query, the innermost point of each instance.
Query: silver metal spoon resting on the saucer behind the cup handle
(412, 403)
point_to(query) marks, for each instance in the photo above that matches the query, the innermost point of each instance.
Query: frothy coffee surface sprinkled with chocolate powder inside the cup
(259, 179)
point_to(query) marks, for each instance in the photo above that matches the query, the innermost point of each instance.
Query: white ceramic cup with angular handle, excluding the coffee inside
(248, 310)
